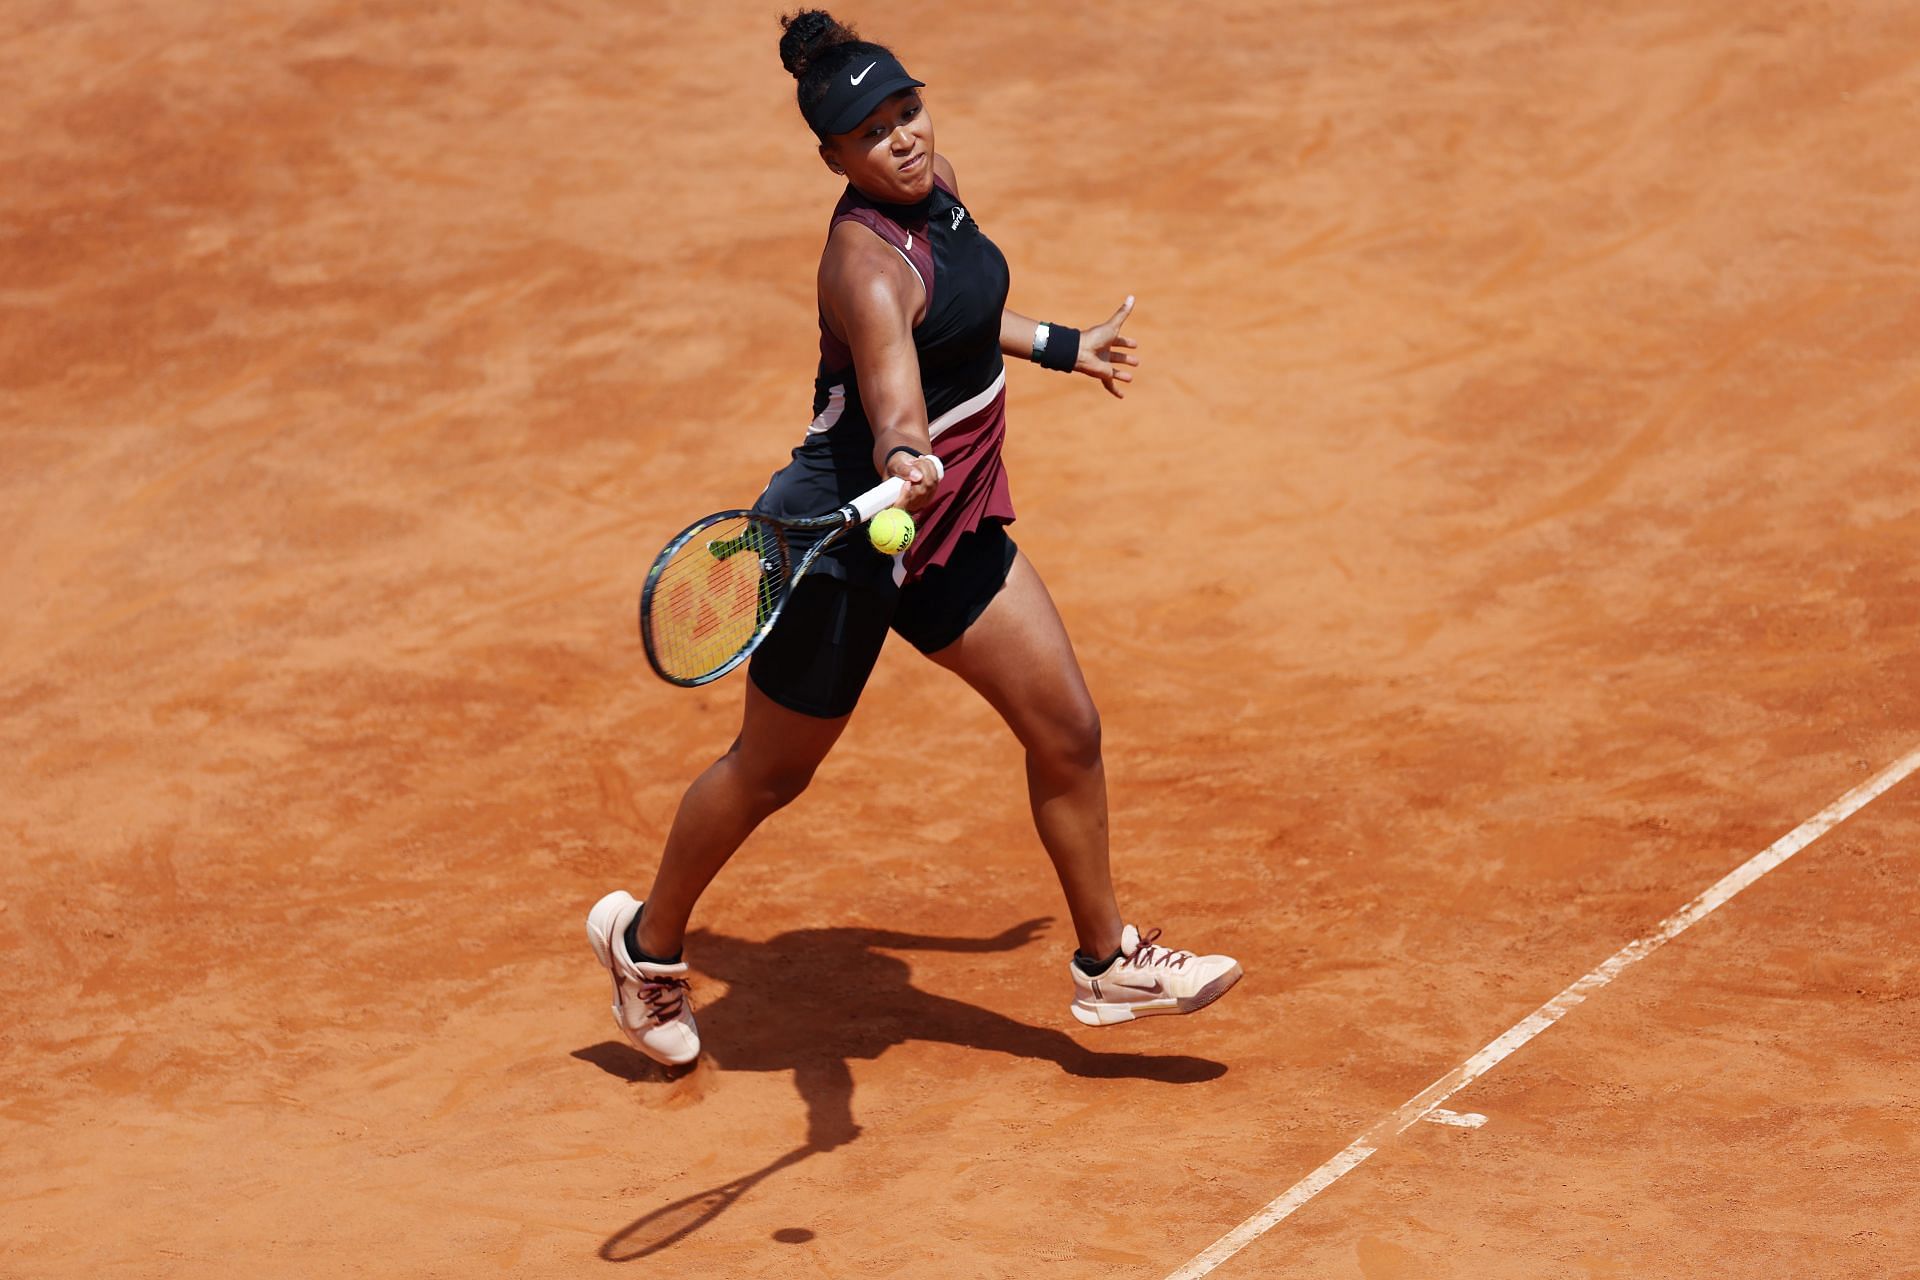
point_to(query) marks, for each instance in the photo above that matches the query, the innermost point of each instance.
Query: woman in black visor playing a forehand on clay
(913, 333)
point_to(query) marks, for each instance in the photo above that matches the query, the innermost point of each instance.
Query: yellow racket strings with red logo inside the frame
(715, 594)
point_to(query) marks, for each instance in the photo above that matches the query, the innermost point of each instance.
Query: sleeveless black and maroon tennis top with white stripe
(961, 375)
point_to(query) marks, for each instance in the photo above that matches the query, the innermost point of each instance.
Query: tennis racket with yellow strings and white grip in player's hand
(717, 590)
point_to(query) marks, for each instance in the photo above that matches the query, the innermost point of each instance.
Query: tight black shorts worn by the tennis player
(823, 650)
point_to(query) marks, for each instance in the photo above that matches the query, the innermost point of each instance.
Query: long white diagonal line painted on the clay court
(1429, 1099)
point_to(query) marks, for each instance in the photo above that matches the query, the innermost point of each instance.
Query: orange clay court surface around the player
(1514, 531)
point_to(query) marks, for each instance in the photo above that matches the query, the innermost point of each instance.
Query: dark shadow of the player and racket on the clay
(817, 999)
